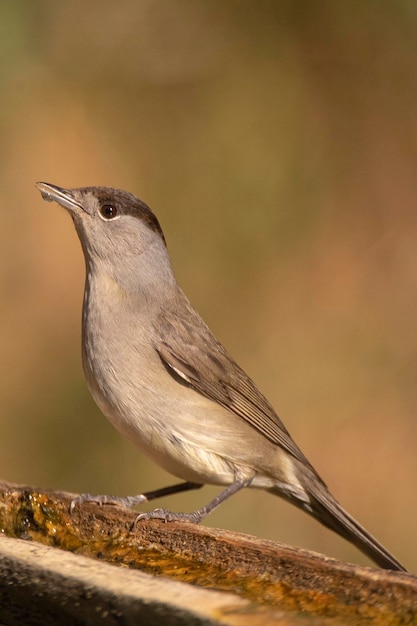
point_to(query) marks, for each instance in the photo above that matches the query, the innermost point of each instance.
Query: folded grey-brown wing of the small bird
(192, 354)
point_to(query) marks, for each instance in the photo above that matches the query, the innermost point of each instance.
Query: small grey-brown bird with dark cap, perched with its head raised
(161, 377)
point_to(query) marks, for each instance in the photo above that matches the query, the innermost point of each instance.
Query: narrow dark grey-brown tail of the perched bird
(322, 505)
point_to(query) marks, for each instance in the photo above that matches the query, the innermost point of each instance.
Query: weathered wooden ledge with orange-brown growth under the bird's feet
(270, 582)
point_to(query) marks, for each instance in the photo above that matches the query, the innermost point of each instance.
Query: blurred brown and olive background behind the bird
(277, 144)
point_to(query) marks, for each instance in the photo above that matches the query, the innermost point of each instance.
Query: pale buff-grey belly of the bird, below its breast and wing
(181, 430)
